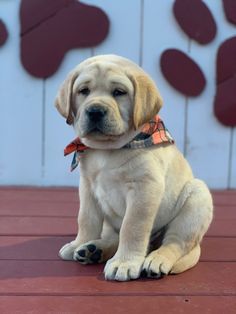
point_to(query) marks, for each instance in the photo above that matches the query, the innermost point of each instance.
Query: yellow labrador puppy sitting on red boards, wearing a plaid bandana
(132, 188)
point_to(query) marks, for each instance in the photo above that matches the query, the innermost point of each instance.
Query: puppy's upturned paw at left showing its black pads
(88, 254)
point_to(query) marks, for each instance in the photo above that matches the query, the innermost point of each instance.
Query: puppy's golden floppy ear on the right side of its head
(147, 99)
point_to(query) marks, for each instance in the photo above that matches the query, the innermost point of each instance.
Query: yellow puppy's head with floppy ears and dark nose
(106, 98)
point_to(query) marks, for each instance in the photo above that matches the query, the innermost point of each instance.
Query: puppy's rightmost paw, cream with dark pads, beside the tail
(156, 265)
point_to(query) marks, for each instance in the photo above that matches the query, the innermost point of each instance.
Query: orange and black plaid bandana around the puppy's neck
(152, 133)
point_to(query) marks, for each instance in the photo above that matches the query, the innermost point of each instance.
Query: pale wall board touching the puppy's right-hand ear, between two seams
(161, 32)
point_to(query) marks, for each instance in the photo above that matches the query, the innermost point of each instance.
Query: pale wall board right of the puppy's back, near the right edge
(208, 143)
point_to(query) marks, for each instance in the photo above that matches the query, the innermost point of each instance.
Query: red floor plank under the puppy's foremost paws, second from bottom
(66, 278)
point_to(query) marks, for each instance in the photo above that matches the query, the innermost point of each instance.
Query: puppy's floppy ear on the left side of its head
(64, 97)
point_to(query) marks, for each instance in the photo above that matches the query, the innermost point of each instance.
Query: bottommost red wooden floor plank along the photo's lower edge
(117, 304)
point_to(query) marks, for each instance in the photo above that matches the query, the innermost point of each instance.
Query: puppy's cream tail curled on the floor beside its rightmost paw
(187, 261)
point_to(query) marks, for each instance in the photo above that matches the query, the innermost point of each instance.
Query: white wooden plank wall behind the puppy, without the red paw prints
(33, 135)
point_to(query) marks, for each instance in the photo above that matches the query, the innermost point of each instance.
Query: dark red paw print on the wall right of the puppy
(183, 73)
